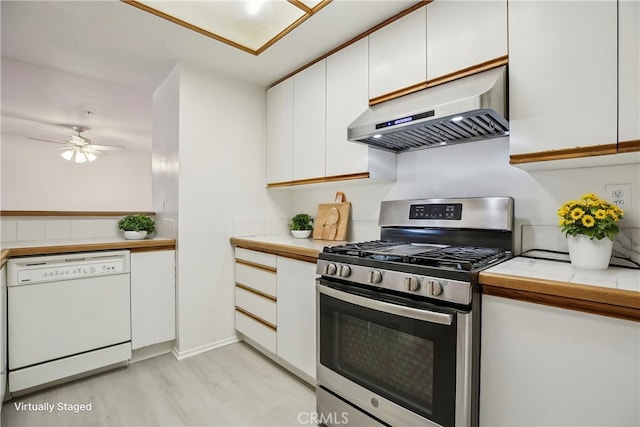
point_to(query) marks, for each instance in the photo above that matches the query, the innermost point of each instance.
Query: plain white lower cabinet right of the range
(546, 366)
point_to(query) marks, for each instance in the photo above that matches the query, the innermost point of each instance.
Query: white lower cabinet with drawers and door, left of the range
(275, 308)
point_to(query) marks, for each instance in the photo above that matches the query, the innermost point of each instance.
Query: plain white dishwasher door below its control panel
(52, 320)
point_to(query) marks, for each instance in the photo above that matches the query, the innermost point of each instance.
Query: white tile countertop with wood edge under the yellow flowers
(614, 292)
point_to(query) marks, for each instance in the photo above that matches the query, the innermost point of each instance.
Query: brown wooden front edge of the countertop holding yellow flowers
(616, 303)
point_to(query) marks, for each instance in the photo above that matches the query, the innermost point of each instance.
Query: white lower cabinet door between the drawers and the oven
(297, 314)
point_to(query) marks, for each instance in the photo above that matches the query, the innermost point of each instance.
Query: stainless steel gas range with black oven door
(399, 318)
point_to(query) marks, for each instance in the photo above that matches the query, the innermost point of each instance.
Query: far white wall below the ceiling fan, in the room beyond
(36, 177)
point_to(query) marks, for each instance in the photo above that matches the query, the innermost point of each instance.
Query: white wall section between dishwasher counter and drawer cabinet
(221, 180)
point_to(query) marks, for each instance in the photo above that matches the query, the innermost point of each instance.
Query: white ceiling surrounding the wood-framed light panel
(61, 59)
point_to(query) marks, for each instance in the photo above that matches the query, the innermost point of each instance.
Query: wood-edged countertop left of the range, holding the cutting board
(286, 245)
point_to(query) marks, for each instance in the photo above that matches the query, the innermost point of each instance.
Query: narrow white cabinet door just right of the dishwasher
(152, 298)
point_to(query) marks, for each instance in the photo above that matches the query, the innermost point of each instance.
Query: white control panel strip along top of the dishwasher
(29, 270)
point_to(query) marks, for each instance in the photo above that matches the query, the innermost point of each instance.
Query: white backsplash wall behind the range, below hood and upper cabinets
(476, 169)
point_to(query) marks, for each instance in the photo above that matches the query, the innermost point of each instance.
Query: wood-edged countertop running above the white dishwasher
(45, 247)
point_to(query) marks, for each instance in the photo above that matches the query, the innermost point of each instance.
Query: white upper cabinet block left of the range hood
(308, 116)
